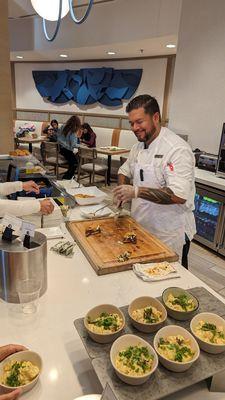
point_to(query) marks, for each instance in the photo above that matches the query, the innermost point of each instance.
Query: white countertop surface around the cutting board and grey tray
(74, 288)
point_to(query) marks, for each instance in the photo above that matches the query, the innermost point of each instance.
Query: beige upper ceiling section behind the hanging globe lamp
(108, 23)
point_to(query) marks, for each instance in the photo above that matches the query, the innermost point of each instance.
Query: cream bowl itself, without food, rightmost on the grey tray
(210, 318)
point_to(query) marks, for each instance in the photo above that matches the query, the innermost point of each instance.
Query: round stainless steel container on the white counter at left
(17, 263)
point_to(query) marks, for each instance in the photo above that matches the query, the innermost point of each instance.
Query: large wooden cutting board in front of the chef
(103, 249)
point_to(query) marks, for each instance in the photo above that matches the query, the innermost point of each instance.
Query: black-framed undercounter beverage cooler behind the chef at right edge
(210, 217)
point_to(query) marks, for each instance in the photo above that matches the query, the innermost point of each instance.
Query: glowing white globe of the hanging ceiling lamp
(49, 9)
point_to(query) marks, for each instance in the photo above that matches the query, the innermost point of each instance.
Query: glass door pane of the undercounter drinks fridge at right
(207, 216)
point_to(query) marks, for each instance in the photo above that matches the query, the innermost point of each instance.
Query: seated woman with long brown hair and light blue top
(69, 143)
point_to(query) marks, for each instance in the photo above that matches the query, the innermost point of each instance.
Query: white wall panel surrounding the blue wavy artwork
(27, 96)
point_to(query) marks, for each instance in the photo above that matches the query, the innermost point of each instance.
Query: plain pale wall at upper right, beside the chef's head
(198, 96)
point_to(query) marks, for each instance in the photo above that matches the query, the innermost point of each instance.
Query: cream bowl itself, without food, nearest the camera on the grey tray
(125, 342)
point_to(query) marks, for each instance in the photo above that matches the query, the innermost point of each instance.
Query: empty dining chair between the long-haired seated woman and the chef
(88, 162)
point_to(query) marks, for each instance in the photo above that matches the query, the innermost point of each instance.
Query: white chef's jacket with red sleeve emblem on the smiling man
(174, 165)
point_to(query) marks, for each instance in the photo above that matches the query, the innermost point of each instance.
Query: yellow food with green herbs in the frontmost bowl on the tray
(134, 361)
